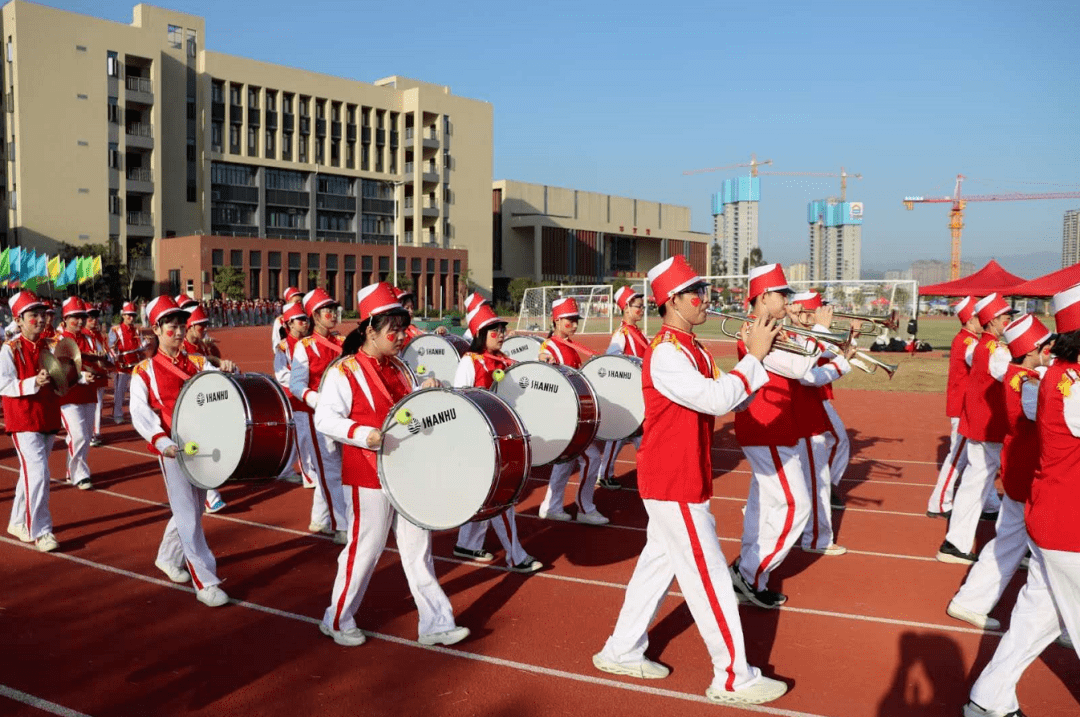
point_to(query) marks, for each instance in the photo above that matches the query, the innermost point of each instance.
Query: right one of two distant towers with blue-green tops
(836, 238)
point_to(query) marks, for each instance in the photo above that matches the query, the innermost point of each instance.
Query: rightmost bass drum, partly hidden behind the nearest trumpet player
(617, 381)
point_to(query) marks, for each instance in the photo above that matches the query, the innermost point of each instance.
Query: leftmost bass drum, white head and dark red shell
(241, 428)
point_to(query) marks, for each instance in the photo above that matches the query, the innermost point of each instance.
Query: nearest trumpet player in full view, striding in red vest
(684, 393)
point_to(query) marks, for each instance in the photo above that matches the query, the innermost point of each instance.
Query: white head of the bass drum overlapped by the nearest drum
(548, 405)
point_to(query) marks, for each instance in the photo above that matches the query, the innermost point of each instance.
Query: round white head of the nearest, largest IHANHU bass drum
(438, 469)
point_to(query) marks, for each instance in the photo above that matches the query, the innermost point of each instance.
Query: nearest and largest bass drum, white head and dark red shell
(463, 456)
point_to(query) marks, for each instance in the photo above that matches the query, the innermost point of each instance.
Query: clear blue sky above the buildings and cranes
(622, 98)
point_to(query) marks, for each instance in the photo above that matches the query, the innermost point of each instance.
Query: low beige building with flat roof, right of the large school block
(551, 234)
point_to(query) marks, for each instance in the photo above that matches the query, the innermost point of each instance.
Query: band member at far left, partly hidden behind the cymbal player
(78, 404)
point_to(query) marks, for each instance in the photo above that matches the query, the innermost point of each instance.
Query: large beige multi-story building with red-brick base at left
(125, 136)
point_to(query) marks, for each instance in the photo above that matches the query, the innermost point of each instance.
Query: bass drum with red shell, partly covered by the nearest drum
(558, 408)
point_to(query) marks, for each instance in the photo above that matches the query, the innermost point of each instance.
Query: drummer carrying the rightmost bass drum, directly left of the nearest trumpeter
(559, 349)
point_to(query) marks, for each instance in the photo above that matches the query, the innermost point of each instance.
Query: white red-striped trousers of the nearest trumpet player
(681, 543)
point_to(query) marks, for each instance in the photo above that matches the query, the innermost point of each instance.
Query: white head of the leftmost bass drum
(212, 413)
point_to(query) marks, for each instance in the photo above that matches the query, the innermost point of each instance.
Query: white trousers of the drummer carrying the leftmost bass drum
(185, 543)
